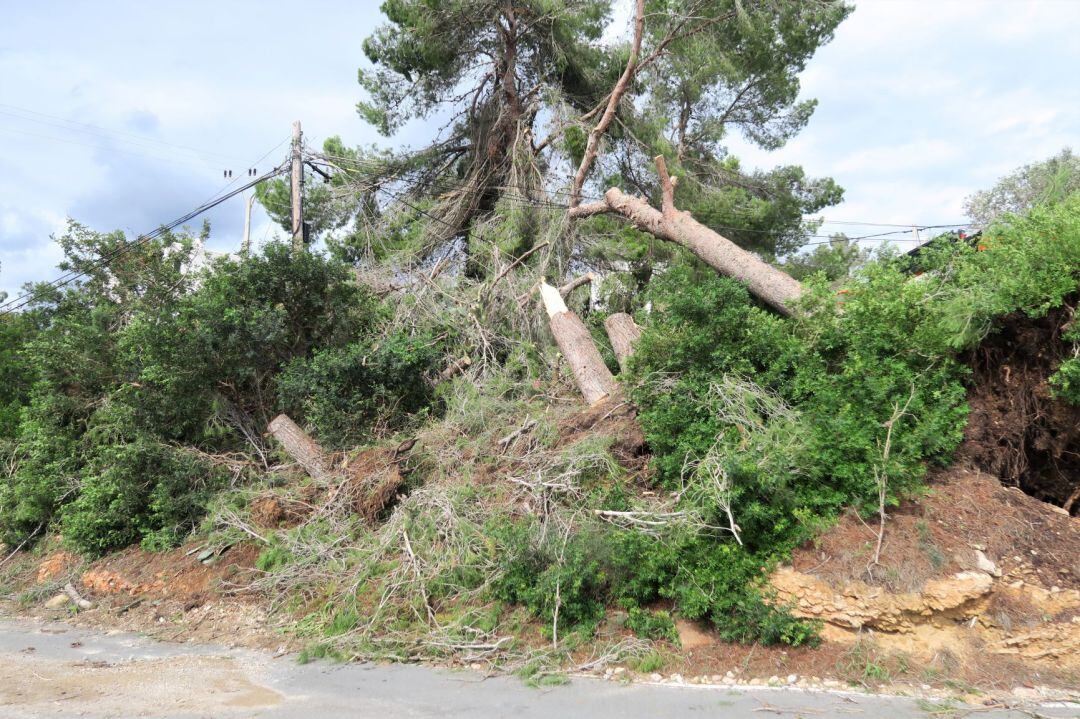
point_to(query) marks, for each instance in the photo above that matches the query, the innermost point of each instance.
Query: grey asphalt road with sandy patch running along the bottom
(60, 671)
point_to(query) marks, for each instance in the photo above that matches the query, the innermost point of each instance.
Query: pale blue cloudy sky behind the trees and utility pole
(125, 115)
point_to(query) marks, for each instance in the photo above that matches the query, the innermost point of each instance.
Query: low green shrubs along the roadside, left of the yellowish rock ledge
(705, 579)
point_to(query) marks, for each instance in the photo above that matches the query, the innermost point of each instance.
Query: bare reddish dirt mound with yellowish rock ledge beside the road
(974, 571)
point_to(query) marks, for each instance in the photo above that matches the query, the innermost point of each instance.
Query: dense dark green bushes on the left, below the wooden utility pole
(144, 371)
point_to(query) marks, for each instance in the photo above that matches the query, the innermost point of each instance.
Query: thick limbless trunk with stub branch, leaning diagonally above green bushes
(772, 286)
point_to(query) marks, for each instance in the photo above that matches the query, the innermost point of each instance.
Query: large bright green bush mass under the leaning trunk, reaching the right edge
(768, 427)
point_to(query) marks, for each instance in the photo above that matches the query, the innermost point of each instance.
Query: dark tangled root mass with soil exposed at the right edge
(1017, 430)
